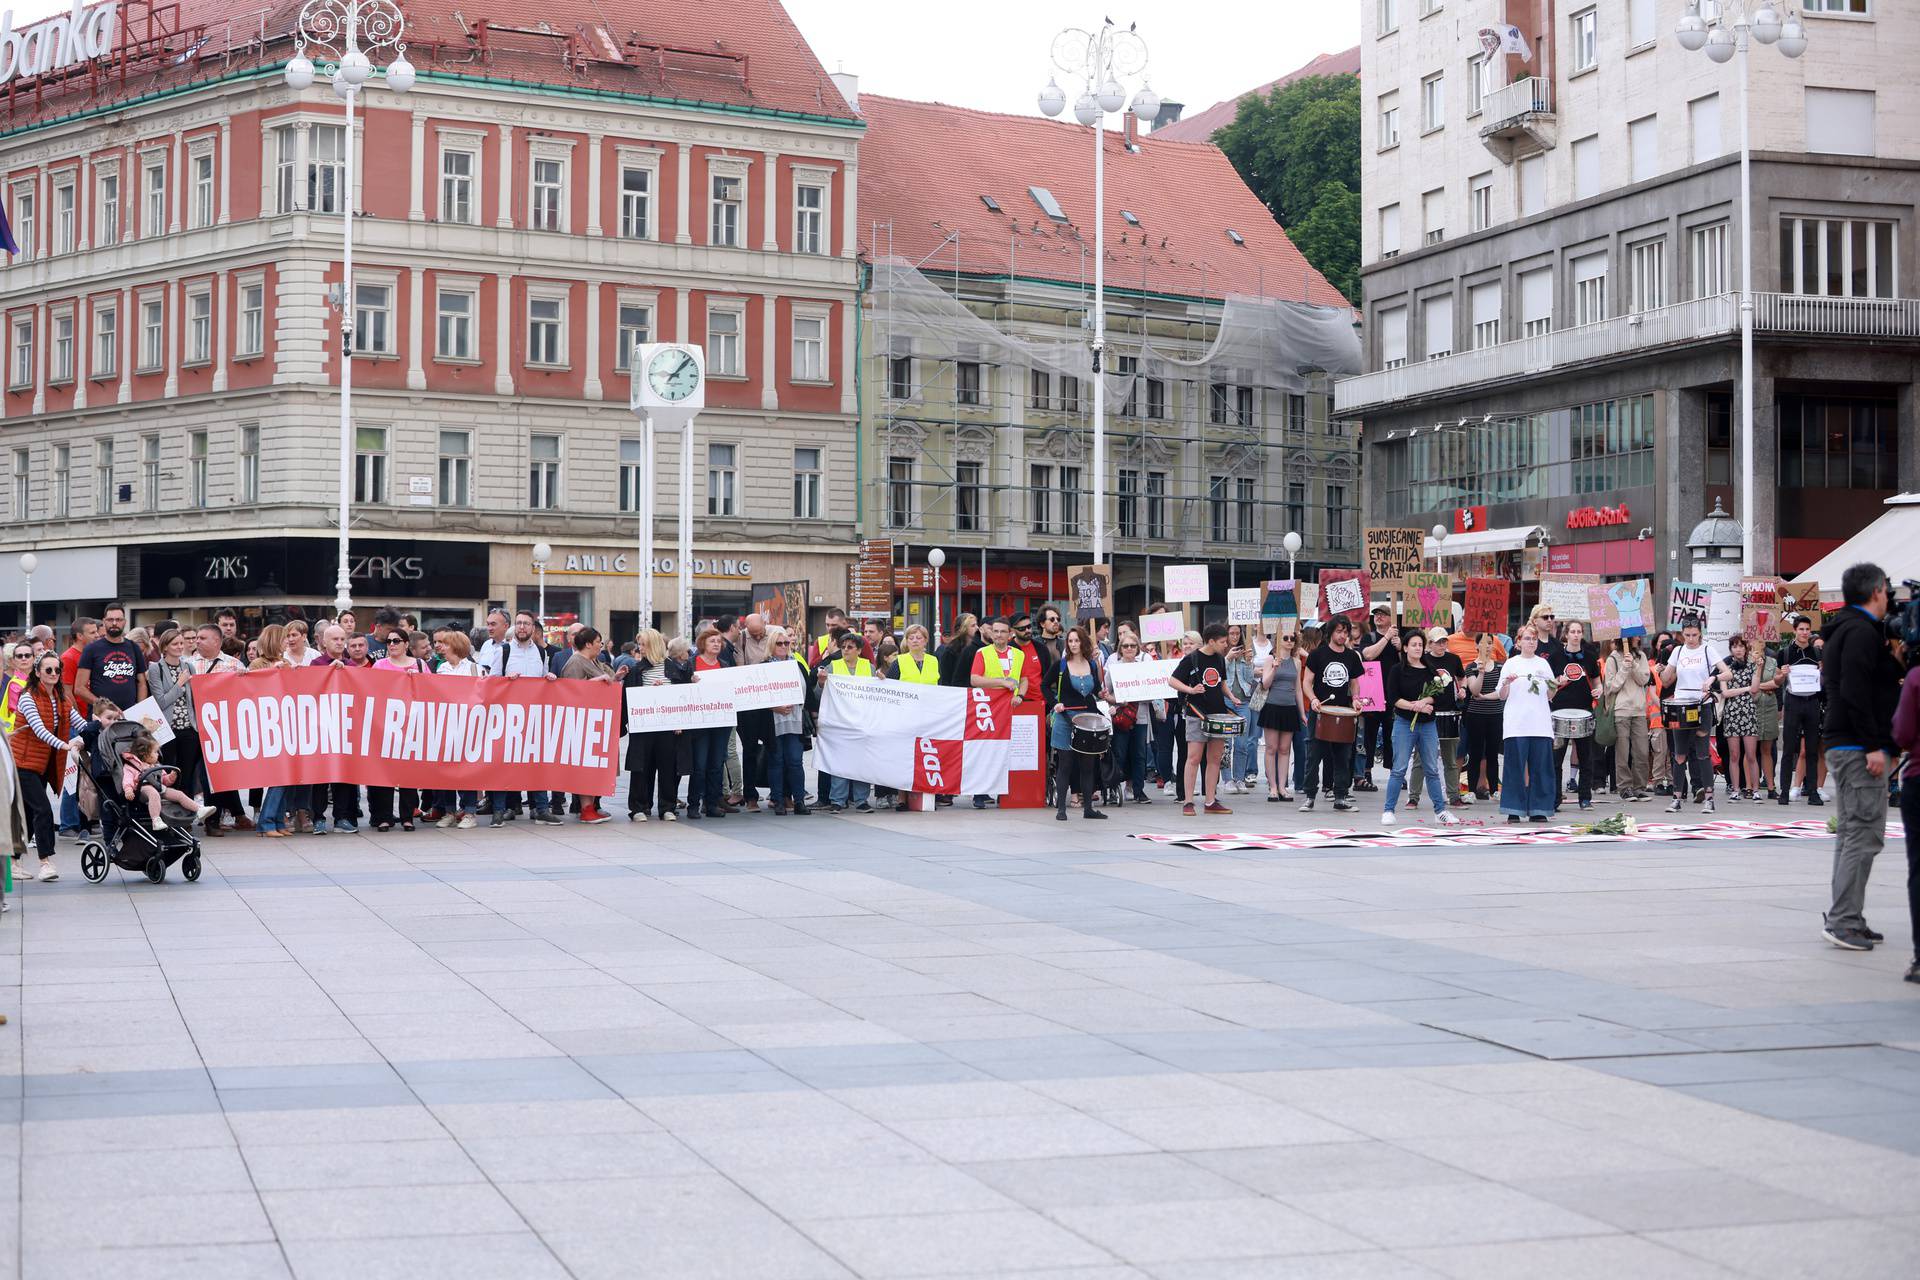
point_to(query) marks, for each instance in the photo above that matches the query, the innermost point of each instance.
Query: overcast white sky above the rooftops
(994, 53)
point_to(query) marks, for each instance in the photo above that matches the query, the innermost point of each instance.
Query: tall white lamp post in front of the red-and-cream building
(348, 30)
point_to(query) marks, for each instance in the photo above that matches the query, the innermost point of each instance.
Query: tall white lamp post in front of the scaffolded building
(1101, 59)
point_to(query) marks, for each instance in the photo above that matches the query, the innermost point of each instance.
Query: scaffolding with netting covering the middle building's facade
(1220, 429)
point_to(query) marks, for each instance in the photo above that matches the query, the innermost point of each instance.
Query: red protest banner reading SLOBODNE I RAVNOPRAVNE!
(331, 724)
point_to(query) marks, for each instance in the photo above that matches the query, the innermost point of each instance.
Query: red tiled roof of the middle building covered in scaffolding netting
(924, 168)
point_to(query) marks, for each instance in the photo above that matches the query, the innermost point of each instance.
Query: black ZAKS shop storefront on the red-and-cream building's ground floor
(281, 579)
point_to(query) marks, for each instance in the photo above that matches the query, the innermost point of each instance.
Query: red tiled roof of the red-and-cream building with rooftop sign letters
(746, 55)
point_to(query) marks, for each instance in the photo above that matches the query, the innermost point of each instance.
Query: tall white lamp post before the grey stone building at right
(1723, 28)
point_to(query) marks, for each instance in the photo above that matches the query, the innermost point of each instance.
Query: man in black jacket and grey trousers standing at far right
(1861, 682)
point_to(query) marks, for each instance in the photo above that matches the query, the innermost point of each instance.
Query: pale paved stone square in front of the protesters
(955, 1045)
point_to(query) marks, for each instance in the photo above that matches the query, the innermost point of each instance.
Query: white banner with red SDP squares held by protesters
(917, 738)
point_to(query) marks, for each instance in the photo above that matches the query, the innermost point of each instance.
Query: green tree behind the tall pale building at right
(1299, 151)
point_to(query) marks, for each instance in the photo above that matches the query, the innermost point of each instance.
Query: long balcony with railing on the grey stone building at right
(1700, 320)
